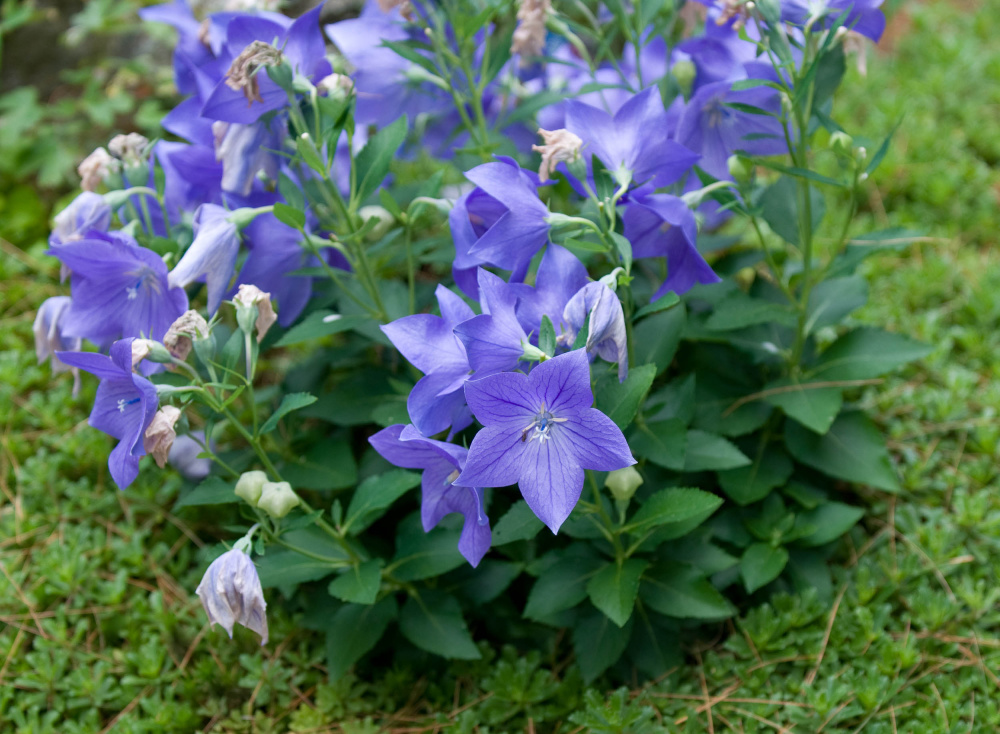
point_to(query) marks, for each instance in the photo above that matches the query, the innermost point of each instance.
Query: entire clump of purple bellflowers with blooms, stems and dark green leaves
(677, 406)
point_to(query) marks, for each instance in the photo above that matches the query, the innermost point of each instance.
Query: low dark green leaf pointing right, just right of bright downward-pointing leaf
(684, 592)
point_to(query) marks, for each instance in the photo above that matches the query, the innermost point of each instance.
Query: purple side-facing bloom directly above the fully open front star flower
(494, 340)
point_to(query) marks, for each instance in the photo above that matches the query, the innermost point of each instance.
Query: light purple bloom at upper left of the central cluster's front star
(430, 344)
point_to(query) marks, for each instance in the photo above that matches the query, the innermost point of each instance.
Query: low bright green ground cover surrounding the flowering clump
(100, 629)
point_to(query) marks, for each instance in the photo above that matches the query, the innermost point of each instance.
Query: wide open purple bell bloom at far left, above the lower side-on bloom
(119, 290)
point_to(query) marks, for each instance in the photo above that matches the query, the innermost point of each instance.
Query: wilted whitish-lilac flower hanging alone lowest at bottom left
(231, 593)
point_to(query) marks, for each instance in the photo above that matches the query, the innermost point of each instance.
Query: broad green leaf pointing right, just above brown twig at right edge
(866, 353)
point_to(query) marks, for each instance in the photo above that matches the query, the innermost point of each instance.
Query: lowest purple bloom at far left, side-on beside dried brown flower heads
(123, 408)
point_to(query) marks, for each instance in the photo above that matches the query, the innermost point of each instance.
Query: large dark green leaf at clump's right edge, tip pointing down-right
(853, 449)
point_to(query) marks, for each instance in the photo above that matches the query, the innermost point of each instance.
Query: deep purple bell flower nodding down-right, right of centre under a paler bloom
(661, 225)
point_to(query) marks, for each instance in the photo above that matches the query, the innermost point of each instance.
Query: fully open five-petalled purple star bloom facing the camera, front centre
(541, 433)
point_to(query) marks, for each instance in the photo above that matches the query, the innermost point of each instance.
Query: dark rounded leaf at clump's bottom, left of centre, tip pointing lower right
(434, 623)
